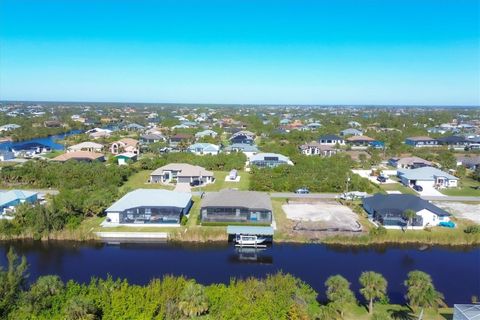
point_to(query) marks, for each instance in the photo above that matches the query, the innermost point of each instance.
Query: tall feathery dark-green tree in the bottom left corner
(12, 282)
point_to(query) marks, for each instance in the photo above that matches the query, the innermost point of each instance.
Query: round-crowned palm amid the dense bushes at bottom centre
(193, 301)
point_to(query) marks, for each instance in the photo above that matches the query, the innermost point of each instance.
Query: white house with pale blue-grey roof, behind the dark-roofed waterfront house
(427, 177)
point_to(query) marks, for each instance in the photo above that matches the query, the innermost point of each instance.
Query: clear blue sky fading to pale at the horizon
(244, 51)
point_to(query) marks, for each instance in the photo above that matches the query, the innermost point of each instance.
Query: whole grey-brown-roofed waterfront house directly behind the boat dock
(236, 206)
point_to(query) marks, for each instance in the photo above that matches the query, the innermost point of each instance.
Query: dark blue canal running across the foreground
(455, 272)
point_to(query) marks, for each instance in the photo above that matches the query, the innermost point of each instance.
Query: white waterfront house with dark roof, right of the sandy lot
(389, 211)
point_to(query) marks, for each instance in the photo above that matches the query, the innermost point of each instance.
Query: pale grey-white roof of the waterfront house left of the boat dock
(151, 198)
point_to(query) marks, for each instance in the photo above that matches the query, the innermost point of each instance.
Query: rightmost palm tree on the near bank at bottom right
(421, 292)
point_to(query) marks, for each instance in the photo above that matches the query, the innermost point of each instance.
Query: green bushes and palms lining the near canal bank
(278, 296)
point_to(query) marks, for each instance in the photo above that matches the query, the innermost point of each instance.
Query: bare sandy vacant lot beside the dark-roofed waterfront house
(327, 214)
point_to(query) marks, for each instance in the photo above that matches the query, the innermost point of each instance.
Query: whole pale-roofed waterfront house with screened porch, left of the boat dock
(150, 207)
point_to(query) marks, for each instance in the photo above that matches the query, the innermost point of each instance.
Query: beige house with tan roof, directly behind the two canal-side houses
(181, 172)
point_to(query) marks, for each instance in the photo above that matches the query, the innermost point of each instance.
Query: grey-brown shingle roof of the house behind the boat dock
(233, 198)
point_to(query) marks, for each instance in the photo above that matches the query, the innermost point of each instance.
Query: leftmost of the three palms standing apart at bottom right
(339, 293)
